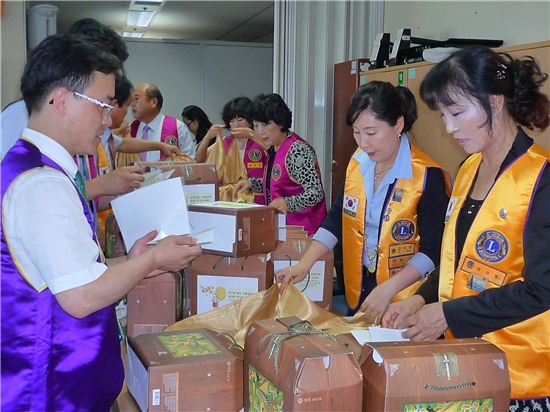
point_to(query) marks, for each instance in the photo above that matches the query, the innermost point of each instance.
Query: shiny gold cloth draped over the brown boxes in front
(236, 317)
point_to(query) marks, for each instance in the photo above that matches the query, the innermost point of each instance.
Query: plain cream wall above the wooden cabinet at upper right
(515, 22)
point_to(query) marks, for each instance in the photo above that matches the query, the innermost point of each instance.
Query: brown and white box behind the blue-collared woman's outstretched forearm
(319, 282)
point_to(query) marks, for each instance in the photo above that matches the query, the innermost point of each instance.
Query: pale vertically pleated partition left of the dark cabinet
(310, 37)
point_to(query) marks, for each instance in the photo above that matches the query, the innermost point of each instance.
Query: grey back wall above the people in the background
(206, 74)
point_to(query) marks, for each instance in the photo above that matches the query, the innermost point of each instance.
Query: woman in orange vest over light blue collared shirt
(389, 216)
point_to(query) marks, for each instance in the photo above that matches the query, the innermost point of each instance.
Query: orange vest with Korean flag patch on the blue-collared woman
(399, 238)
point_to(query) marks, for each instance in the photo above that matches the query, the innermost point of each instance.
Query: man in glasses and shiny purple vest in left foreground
(59, 337)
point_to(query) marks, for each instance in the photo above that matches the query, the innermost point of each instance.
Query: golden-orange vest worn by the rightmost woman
(504, 211)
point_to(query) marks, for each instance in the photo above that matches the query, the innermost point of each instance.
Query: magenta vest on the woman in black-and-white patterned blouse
(282, 185)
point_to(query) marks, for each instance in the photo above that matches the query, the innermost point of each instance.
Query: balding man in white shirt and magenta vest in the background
(153, 125)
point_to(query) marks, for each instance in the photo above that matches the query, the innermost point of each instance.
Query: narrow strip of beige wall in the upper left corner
(13, 50)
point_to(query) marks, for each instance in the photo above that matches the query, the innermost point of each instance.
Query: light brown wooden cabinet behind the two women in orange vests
(428, 133)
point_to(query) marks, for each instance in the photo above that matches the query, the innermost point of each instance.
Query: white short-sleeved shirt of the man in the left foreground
(45, 226)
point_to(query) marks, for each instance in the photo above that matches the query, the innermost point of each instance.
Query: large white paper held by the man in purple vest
(157, 207)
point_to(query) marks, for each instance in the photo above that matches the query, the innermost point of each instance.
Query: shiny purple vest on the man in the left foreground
(52, 361)
